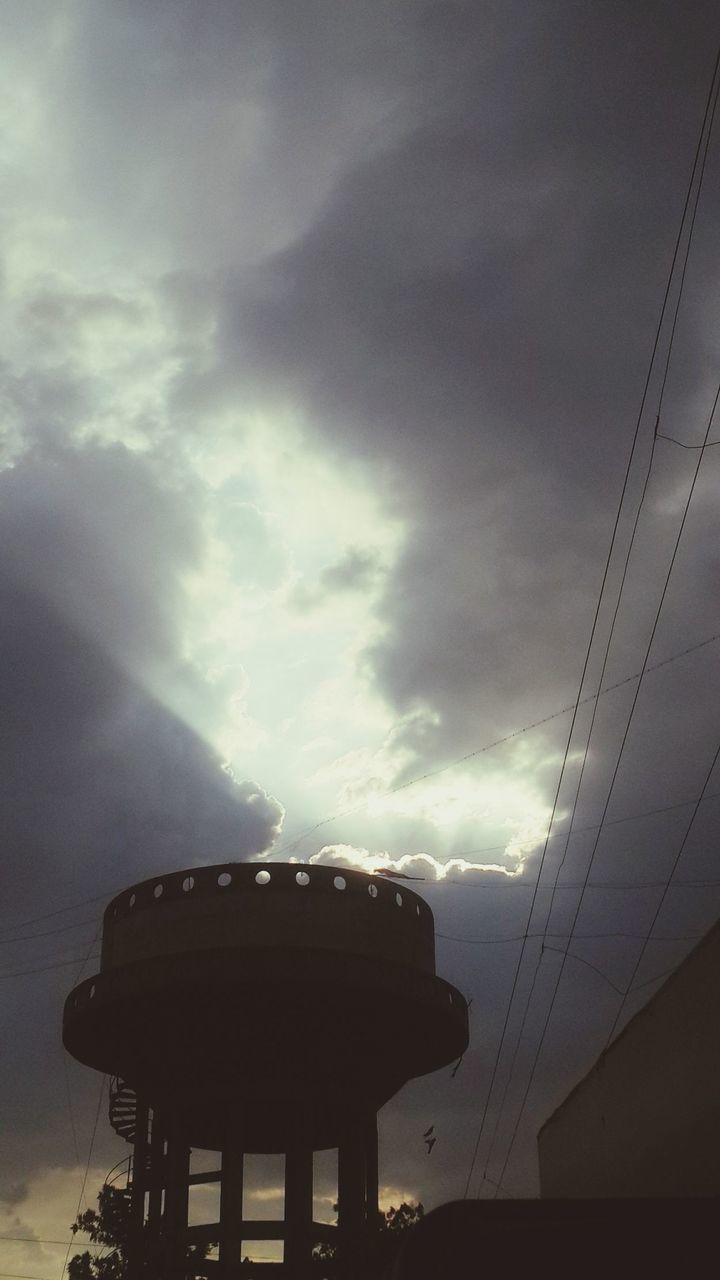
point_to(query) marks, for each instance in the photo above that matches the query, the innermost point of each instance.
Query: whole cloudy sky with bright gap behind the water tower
(325, 332)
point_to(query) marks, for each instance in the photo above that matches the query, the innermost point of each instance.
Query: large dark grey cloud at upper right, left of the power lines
(472, 316)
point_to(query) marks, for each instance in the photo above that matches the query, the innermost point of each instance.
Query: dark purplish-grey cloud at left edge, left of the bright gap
(101, 784)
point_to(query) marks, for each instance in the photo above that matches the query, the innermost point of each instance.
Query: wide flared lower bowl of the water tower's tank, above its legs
(233, 1044)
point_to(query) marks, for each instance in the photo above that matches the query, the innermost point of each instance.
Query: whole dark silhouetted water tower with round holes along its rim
(261, 1009)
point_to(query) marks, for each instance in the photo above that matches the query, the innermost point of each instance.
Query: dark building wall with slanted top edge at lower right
(646, 1119)
